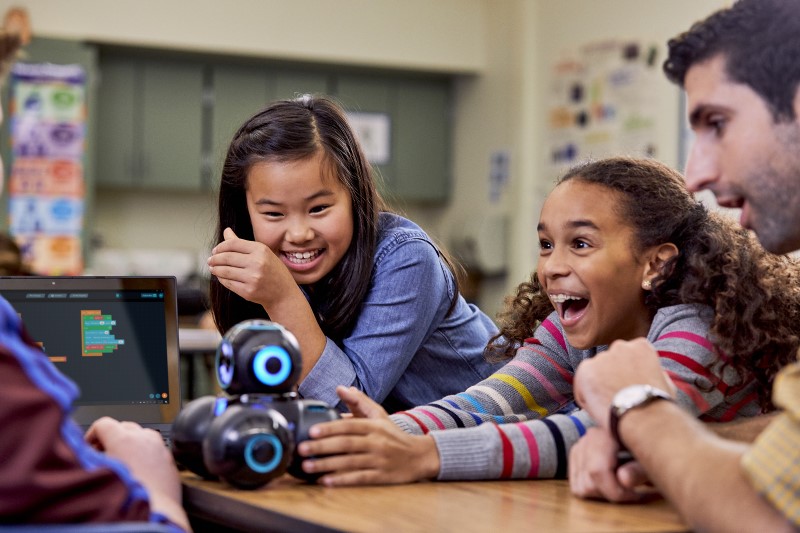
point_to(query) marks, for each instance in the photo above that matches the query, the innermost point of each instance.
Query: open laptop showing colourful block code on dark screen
(115, 337)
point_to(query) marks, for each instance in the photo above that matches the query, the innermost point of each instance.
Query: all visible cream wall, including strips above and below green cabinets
(501, 49)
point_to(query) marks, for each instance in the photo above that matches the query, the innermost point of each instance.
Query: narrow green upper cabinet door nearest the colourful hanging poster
(118, 149)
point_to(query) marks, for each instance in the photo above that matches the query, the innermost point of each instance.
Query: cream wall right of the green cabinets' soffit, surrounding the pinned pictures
(505, 106)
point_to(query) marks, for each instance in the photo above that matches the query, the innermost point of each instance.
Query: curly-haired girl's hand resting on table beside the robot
(367, 449)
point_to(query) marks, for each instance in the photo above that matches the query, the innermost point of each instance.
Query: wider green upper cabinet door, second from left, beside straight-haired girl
(172, 124)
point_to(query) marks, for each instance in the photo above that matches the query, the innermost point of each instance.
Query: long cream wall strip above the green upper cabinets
(443, 35)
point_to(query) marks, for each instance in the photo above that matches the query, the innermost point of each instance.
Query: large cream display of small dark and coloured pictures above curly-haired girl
(602, 103)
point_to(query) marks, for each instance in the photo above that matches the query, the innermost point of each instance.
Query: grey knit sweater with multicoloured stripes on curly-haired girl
(530, 401)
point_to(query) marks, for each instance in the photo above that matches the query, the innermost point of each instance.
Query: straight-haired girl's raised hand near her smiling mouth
(250, 269)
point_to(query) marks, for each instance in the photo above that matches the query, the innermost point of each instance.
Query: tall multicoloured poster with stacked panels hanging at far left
(46, 187)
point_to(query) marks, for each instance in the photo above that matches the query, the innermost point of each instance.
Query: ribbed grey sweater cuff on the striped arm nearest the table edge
(468, 453)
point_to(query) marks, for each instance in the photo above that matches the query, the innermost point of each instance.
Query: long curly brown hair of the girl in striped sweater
(754, 295)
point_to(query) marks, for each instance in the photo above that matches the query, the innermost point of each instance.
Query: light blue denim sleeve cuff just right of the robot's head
(333, 368)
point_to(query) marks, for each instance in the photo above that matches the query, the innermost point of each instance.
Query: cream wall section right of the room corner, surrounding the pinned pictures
(554, 27)
